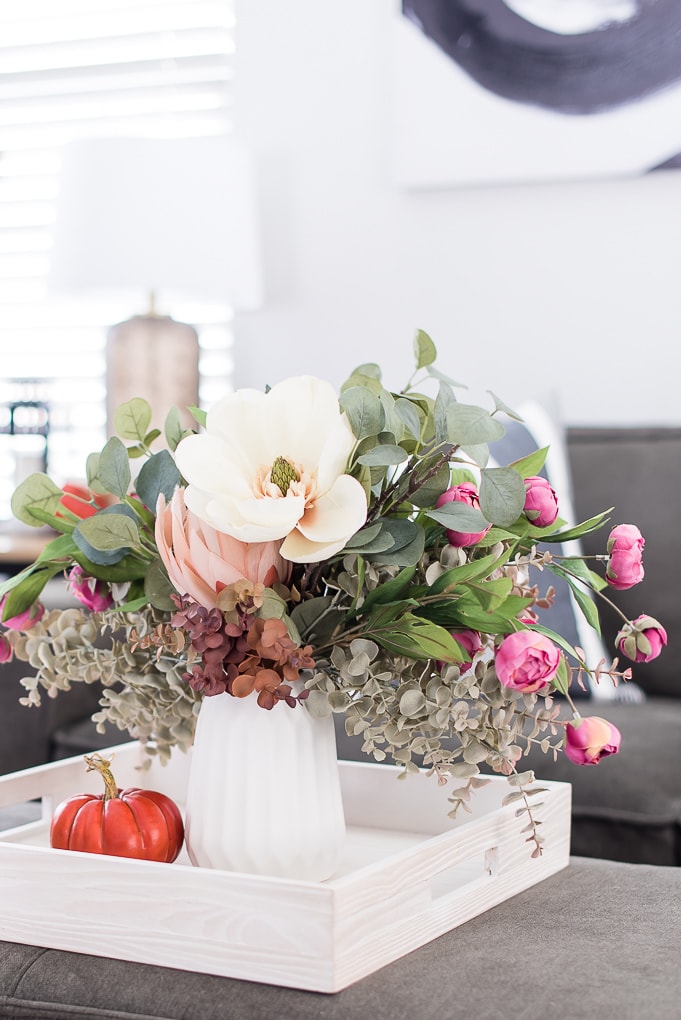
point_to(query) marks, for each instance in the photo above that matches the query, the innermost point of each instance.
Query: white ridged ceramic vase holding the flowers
(265, 792)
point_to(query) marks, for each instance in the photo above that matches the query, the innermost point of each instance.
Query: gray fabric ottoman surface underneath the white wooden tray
(599, 939)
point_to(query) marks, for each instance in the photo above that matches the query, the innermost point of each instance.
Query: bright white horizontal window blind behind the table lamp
(77, 69)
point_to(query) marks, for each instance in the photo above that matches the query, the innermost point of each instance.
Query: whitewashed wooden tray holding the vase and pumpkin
(409, 875)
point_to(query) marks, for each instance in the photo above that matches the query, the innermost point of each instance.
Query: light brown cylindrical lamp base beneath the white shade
(154, 358)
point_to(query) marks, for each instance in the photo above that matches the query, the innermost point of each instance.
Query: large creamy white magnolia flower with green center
(273, 467)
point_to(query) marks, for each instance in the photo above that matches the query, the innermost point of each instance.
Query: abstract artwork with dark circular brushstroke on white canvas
(511, 91)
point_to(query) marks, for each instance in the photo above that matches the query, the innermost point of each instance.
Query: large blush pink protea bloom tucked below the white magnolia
(202, 562)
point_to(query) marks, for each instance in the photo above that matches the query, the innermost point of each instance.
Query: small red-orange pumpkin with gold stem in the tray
(133, 823)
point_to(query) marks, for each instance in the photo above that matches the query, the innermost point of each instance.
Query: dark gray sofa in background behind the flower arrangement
(628, 808)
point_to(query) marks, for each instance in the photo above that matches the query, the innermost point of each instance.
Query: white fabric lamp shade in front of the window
(173, 217)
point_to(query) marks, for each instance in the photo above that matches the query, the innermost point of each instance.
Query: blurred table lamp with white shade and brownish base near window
(155, 222)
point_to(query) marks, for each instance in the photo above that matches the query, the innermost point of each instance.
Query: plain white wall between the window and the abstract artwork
(569, 290)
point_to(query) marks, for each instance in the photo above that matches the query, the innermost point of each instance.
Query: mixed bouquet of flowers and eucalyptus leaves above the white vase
(352, 553)
